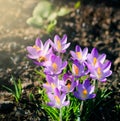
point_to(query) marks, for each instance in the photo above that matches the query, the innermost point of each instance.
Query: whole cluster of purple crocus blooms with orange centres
(60, 83)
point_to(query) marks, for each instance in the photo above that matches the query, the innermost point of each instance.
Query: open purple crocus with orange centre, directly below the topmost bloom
(55, 66)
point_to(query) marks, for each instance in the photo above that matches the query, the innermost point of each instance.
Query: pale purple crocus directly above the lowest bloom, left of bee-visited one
(53, 82)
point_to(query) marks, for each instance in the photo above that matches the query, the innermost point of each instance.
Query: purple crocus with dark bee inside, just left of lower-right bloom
(70, 83)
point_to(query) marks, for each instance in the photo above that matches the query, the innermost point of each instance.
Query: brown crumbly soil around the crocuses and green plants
(94, 24)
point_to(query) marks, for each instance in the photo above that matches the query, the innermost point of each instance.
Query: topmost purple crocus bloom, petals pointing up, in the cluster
(60, 45)
